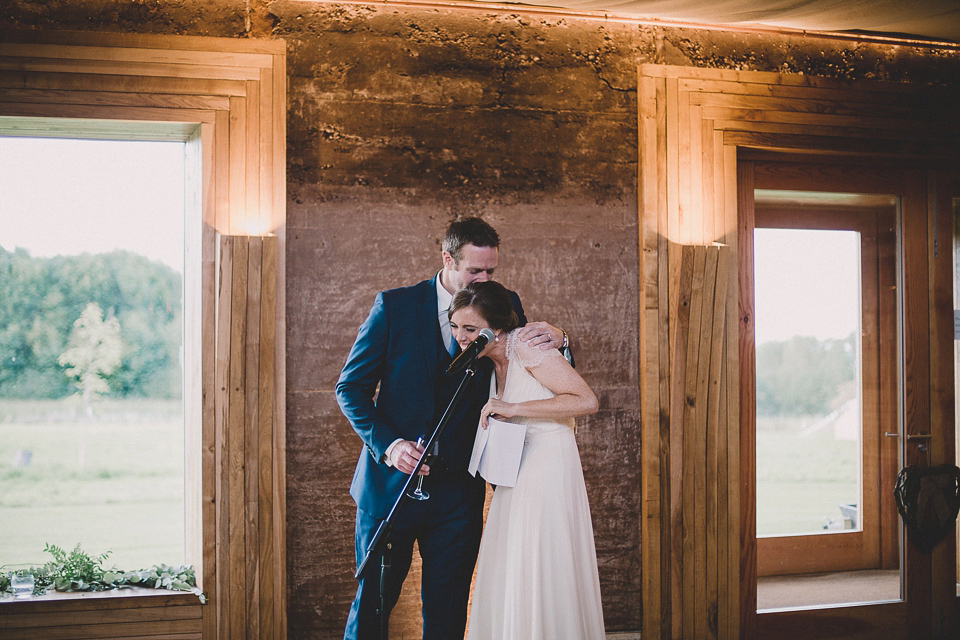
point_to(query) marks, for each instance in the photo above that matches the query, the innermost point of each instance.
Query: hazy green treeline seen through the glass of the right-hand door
(803, 375)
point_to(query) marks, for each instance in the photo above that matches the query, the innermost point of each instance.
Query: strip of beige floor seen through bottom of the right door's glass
(828, 588)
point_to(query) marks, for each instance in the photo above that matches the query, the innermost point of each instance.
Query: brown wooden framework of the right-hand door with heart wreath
(895, 383)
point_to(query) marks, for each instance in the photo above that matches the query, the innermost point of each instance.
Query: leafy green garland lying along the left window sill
(79, 571)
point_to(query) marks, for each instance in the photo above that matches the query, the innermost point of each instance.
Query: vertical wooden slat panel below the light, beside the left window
(246, 369)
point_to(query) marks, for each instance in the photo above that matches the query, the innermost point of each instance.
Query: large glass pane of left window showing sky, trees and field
(91, 416)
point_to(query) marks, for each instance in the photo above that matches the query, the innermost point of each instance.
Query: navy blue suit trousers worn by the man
(447, 529)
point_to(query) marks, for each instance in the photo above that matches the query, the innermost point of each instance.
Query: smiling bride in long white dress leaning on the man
(537, 569)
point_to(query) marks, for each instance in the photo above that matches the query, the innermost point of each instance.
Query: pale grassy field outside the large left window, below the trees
(112, 482)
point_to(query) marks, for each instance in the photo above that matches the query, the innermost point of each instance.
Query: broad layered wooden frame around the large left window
(226, 99)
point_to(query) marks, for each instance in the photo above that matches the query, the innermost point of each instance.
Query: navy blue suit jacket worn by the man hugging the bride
(394, 386)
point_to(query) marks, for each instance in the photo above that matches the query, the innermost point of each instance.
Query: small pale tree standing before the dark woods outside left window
(93, 352)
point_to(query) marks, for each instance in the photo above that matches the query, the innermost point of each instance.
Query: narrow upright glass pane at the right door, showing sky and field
(808, 304)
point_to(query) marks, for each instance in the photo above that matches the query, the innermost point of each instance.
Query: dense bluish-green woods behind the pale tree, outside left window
(41, 298)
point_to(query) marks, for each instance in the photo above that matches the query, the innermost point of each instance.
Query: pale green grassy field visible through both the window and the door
(115, 482)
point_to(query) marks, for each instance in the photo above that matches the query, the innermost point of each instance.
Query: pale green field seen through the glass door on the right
(802, 480)
